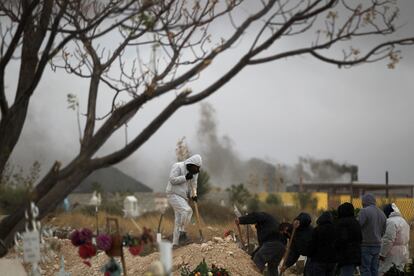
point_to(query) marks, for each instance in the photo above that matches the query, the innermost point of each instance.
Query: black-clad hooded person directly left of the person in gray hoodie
(349, 238)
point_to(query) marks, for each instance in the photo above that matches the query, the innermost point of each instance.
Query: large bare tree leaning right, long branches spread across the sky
(172, 45)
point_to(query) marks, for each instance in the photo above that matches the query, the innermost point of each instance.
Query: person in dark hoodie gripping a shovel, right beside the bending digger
(300, 242)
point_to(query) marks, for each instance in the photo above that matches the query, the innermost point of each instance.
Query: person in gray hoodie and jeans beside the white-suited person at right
(373, 225)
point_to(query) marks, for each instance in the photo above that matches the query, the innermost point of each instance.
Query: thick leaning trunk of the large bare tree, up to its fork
(58, 184)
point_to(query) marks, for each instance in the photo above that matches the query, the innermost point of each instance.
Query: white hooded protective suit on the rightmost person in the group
(394, 246)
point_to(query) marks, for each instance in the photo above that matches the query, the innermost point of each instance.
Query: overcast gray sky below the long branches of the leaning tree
(276, 111)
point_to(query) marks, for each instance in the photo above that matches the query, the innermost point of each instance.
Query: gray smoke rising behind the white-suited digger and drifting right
(226, 167)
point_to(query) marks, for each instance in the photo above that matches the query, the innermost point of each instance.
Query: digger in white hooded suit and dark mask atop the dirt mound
(182, 185)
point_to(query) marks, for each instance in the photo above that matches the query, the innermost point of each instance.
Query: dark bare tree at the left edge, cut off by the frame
(33, 32)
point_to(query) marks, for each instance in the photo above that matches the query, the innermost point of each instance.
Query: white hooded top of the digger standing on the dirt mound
(177, 184)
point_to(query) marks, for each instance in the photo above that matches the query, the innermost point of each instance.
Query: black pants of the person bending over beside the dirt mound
(270, 253)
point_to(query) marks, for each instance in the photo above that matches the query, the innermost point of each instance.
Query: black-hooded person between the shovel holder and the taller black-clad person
(322, 252)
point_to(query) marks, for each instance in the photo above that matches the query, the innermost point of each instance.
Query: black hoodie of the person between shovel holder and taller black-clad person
(322, 245)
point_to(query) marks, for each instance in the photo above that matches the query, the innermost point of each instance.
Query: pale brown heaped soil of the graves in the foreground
(222, 253)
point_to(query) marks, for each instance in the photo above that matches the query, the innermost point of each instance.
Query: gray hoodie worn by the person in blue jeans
(372, 220)
